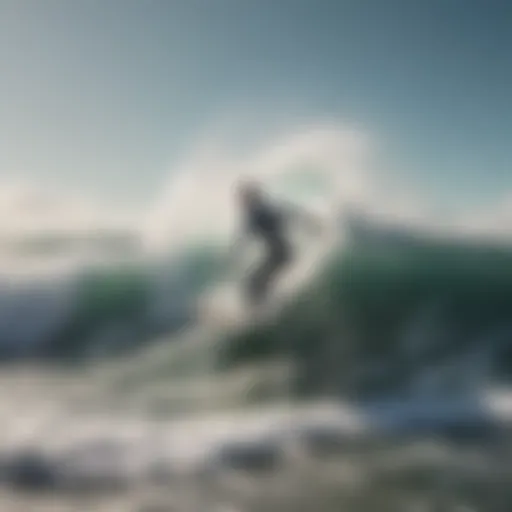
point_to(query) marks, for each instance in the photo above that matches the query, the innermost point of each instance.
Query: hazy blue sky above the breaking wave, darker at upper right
(102, 95)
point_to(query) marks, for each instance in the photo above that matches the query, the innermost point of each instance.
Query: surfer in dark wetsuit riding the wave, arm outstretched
(267, 223)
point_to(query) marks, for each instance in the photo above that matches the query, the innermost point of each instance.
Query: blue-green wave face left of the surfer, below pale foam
(100, 309)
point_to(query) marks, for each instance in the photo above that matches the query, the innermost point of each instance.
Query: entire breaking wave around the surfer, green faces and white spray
(395, 308)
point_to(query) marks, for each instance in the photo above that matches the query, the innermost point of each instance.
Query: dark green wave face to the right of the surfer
(395, 311)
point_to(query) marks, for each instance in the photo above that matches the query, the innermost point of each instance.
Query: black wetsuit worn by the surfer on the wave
(267, 223)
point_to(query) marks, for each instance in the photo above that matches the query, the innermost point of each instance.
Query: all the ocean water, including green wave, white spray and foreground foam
(391, 357)
